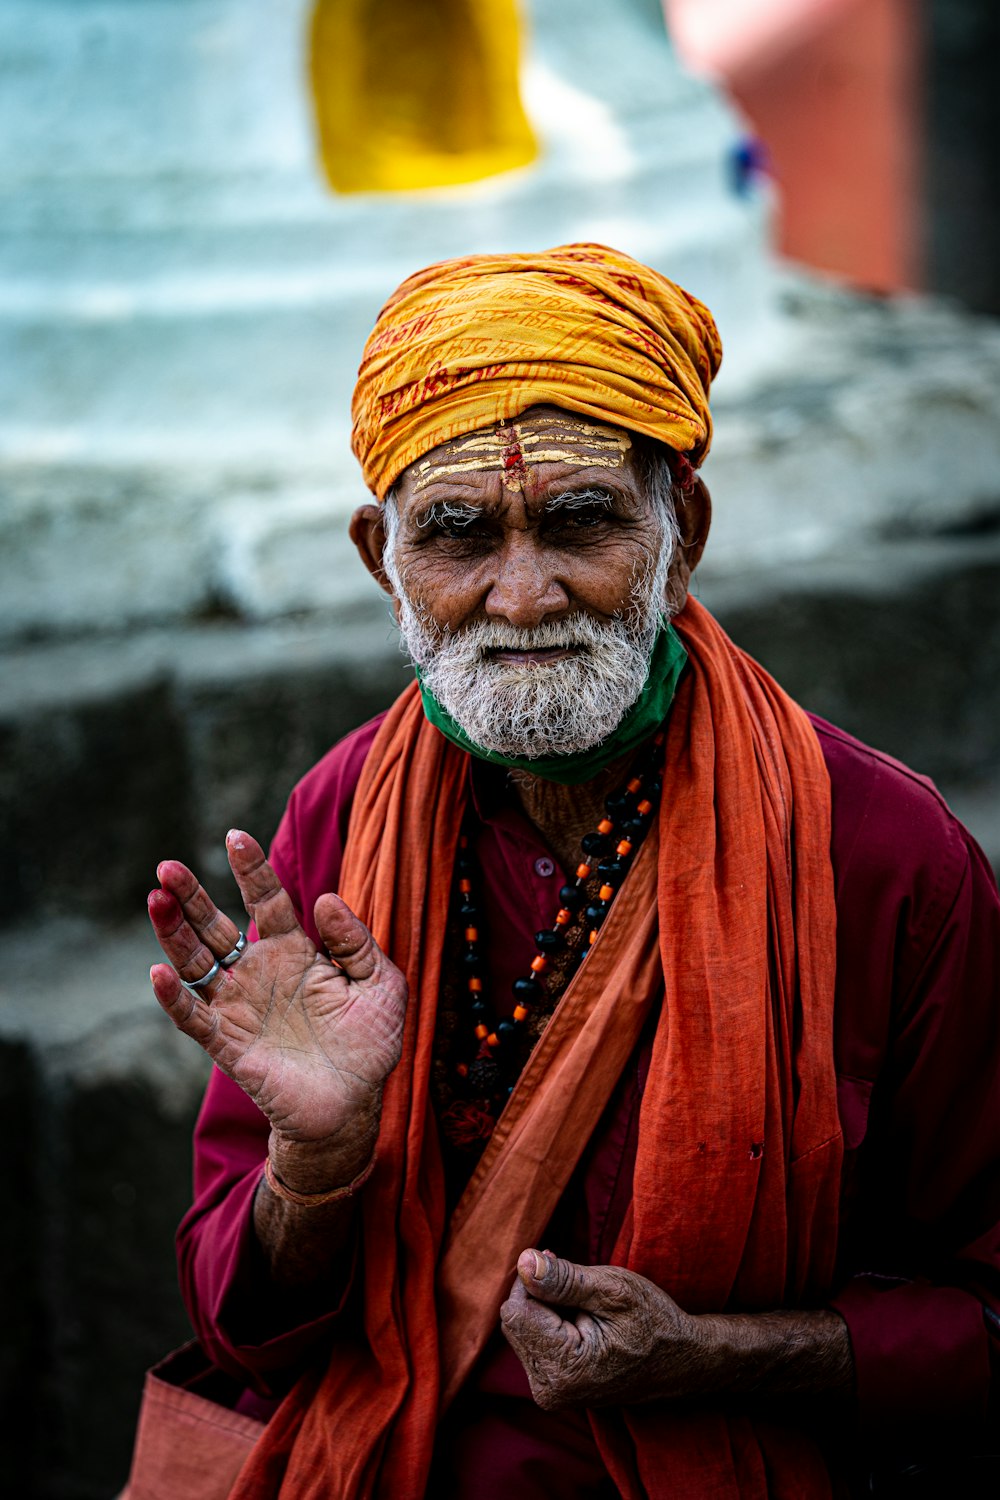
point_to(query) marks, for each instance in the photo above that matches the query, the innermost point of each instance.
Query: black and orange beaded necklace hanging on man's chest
(488, 1054)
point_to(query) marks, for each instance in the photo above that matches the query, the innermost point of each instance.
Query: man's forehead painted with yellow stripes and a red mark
(540, 436)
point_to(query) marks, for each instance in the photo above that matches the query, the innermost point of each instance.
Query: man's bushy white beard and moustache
(543, 709)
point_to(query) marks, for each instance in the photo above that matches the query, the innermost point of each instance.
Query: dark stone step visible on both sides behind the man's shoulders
(122, 751)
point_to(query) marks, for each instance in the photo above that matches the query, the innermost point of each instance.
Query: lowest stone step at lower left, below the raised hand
(98, 1100)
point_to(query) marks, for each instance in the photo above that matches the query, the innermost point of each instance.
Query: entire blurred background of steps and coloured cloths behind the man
(203, 205)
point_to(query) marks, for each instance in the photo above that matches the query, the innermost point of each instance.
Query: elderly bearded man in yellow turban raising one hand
(627, 1124)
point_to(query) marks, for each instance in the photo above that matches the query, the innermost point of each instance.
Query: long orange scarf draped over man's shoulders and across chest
(731, 911)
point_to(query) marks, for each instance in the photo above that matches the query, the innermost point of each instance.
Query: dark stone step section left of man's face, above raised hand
(121, 752)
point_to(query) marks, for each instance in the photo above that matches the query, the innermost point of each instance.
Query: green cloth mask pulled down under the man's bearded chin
(641, 722)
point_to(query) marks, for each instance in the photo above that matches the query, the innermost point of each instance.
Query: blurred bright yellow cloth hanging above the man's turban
(418, 94)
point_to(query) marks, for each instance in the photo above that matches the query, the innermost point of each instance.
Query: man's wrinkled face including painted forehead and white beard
(530, 566)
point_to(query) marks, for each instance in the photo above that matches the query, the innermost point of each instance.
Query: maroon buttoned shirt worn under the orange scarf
(918, 1067)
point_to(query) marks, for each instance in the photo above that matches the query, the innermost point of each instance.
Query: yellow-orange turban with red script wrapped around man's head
(470, 343)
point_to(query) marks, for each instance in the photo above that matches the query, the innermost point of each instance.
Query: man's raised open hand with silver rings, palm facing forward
(310, 1040)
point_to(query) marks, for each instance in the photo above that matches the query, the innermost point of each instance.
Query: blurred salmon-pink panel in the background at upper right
(833, 89)
